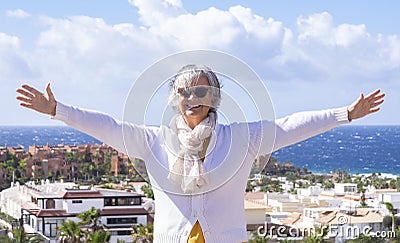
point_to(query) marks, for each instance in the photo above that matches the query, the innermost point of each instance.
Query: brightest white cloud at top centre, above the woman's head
(237, 30)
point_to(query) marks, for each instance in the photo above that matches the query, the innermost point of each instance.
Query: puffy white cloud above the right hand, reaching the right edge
(324, 52)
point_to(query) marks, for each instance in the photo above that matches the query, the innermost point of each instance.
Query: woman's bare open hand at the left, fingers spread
(36, 100)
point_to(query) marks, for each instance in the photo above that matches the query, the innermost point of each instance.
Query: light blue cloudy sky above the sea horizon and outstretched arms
(309, 54)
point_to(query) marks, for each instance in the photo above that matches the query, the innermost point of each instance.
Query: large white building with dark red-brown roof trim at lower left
(42, 208)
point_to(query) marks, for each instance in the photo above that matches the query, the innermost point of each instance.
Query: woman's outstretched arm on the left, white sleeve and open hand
(99, 125)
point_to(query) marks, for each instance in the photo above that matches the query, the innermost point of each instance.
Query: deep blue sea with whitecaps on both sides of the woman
(357, 149)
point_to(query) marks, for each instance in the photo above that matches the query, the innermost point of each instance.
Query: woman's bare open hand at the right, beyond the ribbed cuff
(365, 105)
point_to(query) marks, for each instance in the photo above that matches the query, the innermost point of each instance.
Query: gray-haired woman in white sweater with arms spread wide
(200, 198)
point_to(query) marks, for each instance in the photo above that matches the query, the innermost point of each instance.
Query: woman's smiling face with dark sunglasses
(194, 108)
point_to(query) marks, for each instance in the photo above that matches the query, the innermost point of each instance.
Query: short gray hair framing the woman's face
(187, 76)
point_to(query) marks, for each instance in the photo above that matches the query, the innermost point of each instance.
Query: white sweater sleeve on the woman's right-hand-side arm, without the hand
(296, 127)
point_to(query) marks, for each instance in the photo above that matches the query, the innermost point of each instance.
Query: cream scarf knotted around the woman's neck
(188, 169)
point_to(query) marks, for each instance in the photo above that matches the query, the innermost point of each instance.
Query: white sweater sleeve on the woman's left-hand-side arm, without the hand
(107, 129)
